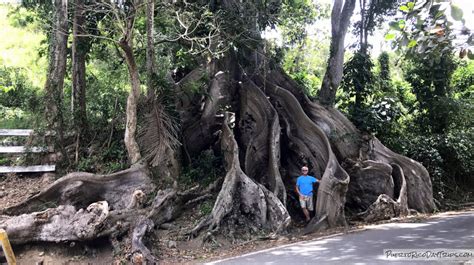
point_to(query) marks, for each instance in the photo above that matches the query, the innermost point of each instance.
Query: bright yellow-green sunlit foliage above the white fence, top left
(22, 71)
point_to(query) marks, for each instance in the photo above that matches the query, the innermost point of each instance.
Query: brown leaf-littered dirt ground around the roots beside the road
(170, 245)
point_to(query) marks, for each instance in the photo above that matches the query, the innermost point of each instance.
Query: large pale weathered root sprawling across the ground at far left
(83, 207)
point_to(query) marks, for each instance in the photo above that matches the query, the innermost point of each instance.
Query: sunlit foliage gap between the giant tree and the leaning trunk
(303, 56)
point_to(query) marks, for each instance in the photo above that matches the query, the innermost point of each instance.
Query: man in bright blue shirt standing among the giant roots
(304, 187)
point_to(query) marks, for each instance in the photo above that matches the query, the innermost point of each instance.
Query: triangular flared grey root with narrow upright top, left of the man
(242, 196)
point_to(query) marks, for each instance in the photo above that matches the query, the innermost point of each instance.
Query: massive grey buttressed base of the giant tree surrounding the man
(310, 134)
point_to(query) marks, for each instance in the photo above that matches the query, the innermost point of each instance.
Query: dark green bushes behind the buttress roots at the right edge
(434, 128)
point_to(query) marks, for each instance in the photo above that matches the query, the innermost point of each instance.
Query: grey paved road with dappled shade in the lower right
(367, 247)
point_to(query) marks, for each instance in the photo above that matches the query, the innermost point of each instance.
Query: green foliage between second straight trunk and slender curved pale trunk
(106, 94)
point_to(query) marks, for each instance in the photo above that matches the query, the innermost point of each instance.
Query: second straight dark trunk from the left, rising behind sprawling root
(80, 47)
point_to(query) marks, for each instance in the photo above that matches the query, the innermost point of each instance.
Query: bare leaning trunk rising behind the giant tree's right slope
(340, 19)
